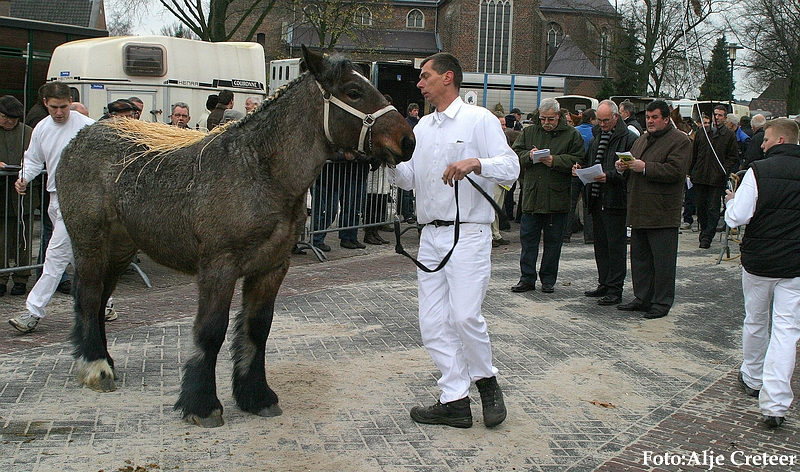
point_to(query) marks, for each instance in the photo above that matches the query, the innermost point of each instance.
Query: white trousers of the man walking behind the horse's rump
(56, 259)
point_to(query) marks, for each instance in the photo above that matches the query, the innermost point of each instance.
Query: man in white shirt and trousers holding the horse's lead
(456, 140)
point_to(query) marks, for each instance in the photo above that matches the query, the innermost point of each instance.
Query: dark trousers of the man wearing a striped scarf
(610, 248)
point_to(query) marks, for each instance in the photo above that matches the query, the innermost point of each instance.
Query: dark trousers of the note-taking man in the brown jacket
(654, 256)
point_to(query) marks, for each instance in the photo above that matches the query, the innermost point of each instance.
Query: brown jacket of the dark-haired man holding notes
(655, 196)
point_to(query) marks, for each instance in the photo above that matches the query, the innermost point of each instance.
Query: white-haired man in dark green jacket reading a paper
(545, 192)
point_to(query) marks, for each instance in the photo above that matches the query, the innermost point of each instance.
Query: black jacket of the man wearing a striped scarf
(613, 193)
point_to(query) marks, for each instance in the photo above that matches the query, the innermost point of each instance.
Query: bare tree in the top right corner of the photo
(770, 32)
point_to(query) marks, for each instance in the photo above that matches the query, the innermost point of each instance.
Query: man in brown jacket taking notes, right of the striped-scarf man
(655, 195)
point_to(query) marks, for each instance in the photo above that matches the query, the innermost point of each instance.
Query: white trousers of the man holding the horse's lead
(453, 329)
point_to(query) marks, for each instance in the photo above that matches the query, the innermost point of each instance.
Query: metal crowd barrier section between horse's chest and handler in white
(347, 197)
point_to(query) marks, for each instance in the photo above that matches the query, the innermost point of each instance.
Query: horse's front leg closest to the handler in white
(250, 389)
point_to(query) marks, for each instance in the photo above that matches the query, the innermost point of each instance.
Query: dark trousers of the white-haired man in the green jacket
(531, 228)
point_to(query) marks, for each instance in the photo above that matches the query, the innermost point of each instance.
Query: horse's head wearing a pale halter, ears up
(357, 117)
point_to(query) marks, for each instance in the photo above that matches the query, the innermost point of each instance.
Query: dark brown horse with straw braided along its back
(220, 206)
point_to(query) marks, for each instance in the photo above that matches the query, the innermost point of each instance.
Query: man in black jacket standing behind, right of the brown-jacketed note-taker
(714, 156)
